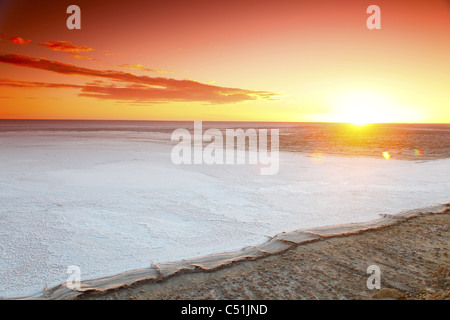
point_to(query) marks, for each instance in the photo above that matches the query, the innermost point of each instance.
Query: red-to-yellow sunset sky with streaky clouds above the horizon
(245, 60)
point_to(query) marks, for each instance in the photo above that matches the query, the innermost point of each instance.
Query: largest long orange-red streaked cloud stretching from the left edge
(128, 86)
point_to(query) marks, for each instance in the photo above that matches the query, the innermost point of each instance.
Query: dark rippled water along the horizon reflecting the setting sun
(402, 141)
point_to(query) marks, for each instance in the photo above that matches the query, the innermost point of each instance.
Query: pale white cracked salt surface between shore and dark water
(110, 202)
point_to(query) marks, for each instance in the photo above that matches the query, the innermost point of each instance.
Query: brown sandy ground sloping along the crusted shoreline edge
(412, 256)
